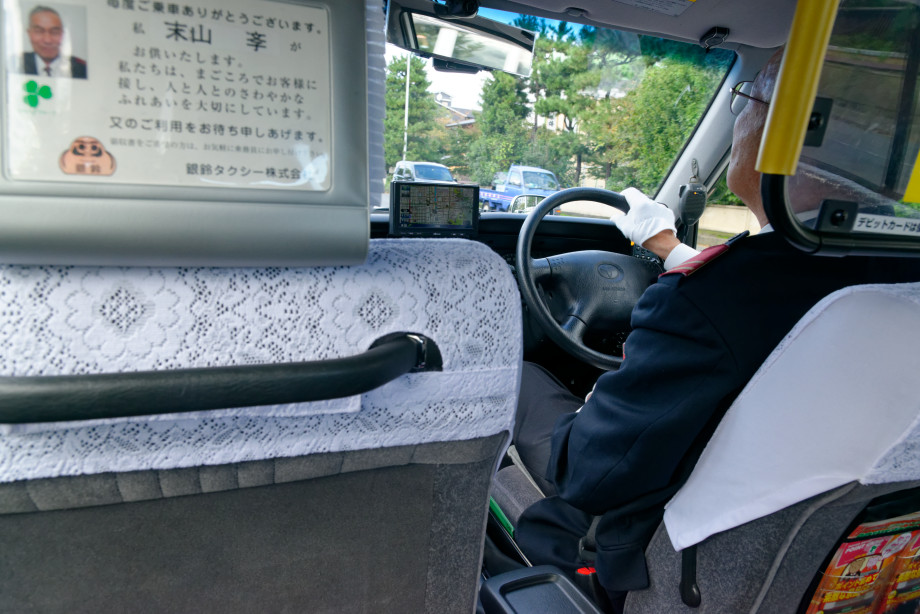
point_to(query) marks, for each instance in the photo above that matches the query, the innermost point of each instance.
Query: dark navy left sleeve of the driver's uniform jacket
(630, 436)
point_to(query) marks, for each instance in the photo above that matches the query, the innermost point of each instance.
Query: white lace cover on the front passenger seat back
(79, 320)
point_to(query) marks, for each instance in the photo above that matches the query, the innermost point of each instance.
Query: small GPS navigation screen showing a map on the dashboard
(433, 209)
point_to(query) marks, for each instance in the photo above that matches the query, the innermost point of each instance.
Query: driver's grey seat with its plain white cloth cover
(751, 527)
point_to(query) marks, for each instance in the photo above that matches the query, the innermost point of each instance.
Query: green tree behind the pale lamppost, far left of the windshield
(426, 134)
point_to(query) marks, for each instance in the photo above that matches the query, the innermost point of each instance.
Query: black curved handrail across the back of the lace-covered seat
(62, 398)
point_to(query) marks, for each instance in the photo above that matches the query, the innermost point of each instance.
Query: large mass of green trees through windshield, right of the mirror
(626, 104)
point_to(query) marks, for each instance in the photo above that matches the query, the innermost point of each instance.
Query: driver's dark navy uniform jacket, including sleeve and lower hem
(696, 341)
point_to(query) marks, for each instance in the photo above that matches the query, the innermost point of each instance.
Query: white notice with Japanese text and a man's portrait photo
(205, 93)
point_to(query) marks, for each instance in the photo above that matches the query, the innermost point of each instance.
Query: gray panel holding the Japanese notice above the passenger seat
(122, 218)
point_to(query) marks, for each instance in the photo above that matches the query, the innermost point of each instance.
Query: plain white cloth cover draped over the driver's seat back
(836, 402)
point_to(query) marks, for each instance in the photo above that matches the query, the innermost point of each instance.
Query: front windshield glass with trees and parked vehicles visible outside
(601, 108)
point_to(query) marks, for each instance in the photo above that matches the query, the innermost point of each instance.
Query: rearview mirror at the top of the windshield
(470, 42)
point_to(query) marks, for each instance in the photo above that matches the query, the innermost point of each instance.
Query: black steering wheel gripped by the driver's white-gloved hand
(587, 290)
